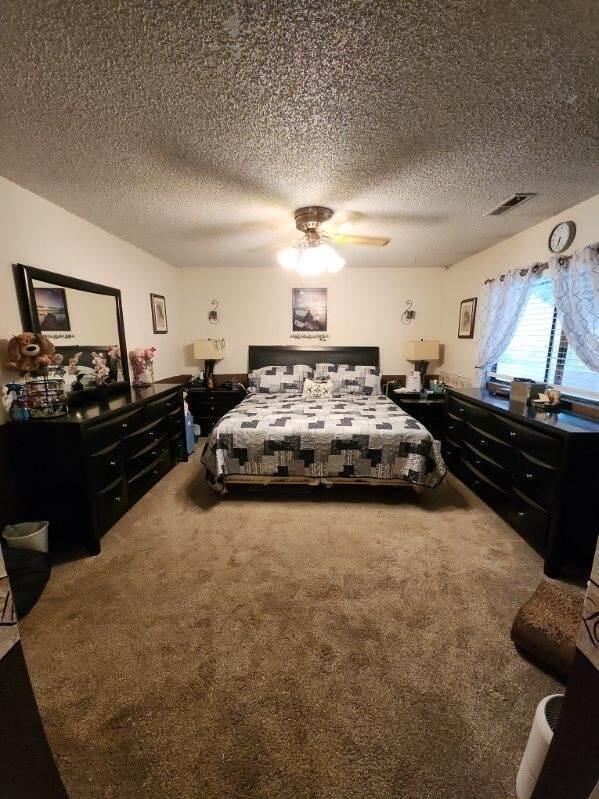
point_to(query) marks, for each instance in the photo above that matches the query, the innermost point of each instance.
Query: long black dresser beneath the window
(539, 471)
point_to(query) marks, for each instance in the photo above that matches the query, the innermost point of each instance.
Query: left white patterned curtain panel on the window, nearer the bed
(500, 308)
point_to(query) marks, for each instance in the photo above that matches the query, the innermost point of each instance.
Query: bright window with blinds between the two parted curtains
(539, 349)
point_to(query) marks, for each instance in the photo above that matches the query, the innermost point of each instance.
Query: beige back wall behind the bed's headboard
(364, 307)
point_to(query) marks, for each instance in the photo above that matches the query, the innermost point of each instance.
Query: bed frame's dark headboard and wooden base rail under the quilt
(277, 355)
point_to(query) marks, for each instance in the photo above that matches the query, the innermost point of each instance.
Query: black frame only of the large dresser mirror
(24, 277)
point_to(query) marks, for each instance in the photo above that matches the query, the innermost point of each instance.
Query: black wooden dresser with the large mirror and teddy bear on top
(82, 471)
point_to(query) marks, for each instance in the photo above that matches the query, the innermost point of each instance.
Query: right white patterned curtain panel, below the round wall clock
(576, 287)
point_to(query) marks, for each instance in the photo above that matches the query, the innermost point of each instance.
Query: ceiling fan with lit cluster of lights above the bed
(313, 253)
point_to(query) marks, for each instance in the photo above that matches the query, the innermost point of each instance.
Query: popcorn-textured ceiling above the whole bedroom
(193, 129)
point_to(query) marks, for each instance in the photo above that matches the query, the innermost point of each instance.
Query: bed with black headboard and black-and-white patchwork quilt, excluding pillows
(348, 439)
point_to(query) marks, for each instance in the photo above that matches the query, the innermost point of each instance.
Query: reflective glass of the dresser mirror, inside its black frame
(79, 323)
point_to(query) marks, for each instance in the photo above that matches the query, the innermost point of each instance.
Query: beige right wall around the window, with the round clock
(465, 279)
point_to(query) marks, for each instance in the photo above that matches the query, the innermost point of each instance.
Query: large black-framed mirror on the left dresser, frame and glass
(81, 319)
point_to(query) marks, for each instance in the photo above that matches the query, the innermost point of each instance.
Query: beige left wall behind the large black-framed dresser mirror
(38, 233)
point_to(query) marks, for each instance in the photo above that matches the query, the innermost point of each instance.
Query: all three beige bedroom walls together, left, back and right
(364, 305)
